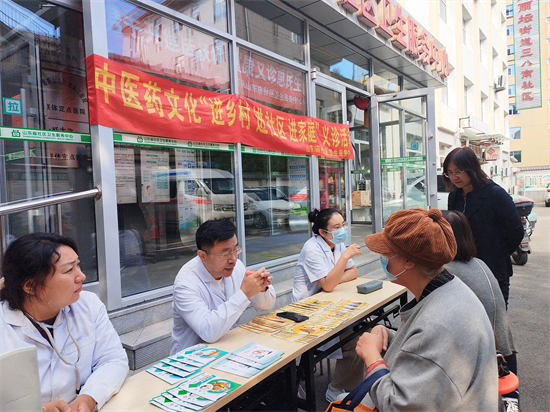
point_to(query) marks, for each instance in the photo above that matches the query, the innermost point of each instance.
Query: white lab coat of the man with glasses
(202, 312)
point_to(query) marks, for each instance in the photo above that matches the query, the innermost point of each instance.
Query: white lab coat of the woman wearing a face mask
(315, 261)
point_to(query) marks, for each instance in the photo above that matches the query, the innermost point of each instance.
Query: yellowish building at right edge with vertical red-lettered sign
(528, 42)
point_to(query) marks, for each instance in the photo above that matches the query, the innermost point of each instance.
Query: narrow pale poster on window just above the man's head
(185, 161)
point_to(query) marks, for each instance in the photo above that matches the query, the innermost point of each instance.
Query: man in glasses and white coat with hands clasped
(212, 290)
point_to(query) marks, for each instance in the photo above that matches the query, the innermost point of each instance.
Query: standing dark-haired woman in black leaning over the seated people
(492, 215)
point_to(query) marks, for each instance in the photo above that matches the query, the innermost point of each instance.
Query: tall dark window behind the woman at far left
(42, 62)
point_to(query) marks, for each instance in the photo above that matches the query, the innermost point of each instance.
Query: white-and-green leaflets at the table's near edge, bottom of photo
(195, 393)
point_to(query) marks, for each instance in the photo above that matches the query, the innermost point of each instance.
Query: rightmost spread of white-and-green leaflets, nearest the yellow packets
(248, 360)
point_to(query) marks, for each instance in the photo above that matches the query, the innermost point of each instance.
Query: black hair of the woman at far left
(28, 261)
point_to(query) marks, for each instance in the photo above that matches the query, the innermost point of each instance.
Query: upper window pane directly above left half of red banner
(159, 45)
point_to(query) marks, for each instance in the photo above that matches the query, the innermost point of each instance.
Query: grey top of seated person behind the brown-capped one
(477, 275)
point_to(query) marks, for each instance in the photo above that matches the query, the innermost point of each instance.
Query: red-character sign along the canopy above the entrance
(391, 22)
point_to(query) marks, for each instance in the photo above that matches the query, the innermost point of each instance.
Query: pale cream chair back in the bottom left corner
(19, 381)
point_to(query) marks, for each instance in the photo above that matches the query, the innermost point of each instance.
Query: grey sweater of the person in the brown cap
(442, 358)
